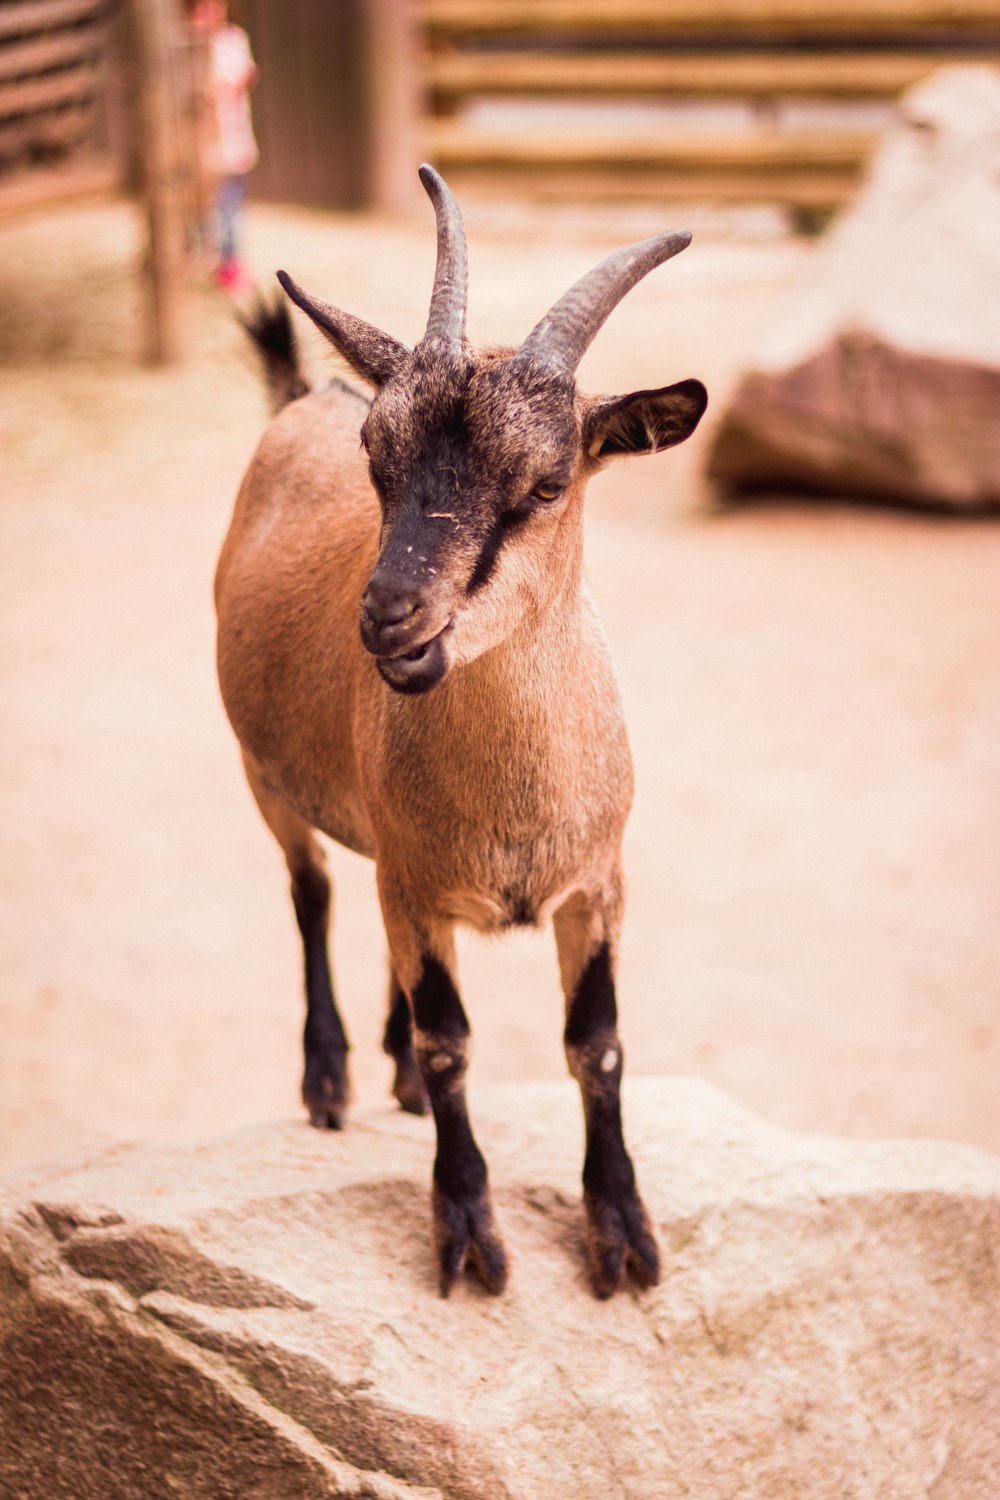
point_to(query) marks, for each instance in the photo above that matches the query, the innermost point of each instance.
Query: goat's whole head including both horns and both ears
(481, 458)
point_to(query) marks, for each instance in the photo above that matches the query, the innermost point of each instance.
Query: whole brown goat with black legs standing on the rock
(470, 737)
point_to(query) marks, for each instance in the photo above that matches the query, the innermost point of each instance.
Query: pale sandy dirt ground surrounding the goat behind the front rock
(813, 697)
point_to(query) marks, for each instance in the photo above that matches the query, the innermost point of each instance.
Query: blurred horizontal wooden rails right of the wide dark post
(768, 56)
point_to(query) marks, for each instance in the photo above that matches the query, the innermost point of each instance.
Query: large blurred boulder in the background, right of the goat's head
(882, 373)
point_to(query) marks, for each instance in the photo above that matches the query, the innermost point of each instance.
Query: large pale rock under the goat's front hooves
(259, 1319)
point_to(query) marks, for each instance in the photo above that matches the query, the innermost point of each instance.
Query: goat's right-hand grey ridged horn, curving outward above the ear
(569, 329)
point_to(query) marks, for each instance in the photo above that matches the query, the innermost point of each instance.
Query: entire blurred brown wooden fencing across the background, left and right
(773, 97)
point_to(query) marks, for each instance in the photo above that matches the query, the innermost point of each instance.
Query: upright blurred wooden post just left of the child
(157, 31)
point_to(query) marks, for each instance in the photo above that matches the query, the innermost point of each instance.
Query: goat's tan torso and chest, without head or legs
(518, 787)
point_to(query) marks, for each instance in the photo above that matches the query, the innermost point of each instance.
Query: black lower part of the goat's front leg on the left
(463, 1211)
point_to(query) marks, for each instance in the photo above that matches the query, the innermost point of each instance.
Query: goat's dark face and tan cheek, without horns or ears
(478, 464)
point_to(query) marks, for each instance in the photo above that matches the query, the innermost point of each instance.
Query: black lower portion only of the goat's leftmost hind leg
(325, 1090)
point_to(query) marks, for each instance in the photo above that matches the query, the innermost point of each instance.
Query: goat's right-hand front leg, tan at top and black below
(618, 1229)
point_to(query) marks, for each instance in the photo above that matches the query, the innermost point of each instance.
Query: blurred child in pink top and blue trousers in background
(229, 146)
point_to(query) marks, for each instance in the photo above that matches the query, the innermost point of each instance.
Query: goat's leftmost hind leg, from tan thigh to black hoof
(325, 1088)
